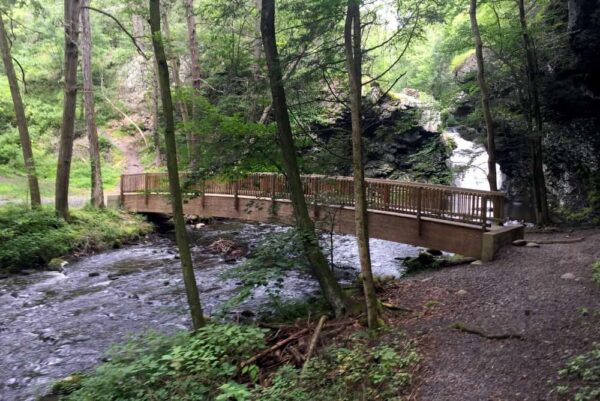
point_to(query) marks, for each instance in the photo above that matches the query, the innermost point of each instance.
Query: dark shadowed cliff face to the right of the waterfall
(570, 95)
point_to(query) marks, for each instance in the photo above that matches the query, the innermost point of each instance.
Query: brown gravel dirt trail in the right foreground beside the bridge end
(537, 294)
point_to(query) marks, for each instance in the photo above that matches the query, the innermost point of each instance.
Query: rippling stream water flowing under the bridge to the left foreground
(52, 324)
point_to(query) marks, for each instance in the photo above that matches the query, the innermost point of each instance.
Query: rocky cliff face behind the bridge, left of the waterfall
(400, 141)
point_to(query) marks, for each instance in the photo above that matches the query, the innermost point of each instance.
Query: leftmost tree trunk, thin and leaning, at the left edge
(34, 188)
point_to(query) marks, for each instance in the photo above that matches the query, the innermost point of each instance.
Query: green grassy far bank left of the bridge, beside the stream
(32, 238)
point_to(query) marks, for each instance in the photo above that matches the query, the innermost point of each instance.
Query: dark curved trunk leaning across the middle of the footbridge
(331, 289)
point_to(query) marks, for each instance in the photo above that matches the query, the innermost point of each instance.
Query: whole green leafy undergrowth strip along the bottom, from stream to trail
(207, 365)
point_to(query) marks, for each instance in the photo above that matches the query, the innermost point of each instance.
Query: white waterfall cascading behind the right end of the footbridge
(469, 162)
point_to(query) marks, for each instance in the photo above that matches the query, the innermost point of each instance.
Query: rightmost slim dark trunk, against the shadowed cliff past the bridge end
(535, 141)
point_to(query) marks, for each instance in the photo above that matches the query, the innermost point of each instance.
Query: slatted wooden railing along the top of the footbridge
(422, 200)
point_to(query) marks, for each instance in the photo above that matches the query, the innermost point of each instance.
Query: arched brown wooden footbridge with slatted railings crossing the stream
(448, 218)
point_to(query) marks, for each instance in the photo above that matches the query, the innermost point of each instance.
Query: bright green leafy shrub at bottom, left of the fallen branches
(201, 366)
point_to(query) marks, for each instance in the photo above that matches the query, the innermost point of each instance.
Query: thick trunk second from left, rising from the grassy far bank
(65, 150)
